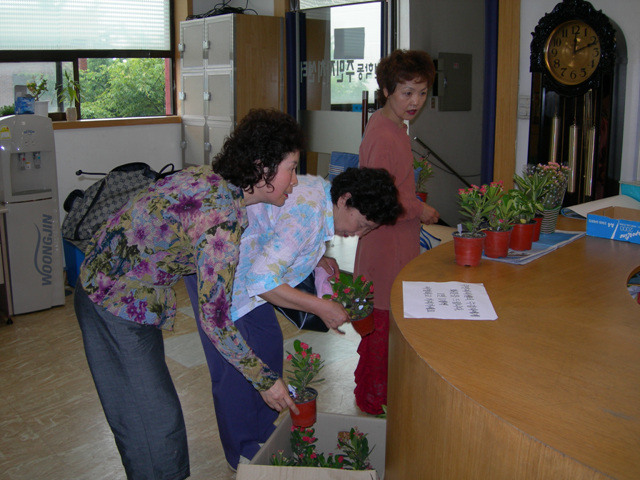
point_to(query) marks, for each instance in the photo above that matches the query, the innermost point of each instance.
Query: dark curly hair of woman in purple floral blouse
(262, 139)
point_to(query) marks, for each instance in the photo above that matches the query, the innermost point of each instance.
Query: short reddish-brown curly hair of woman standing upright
(403, 66)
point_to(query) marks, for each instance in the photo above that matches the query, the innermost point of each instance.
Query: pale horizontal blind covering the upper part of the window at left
(85, 25)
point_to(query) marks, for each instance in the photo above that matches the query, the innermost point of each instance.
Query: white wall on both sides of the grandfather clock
(625, 13)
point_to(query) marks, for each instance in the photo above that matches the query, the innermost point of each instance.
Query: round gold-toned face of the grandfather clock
(572, 52)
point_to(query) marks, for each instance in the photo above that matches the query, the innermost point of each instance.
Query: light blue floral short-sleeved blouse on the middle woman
(282, 244)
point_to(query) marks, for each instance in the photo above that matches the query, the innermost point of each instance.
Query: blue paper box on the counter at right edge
(616, 223)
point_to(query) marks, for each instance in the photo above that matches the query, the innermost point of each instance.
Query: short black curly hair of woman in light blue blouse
(373, 193)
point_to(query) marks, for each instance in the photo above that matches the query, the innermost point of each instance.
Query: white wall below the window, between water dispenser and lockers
(101, 149)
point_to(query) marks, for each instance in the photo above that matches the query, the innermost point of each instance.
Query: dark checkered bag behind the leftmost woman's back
(87, 210)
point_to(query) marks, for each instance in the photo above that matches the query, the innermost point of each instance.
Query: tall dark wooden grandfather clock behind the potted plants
(572, 90)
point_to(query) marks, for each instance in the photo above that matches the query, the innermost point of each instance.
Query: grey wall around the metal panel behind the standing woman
(456, 137)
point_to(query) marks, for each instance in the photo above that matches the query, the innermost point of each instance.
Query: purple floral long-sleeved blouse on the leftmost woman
(189, 222)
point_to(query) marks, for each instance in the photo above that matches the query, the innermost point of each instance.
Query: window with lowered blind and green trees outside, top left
(119, 51)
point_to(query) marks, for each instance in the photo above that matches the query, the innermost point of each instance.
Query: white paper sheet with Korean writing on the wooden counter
(447, 300)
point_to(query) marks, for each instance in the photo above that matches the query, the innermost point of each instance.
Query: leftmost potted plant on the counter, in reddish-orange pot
(469, 242)
